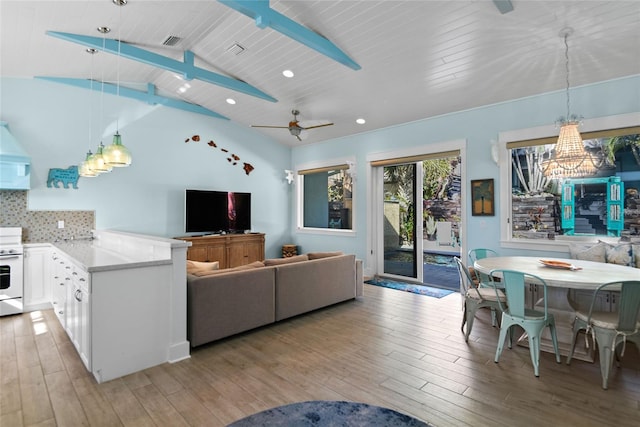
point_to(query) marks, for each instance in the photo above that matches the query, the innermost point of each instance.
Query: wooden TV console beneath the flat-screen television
(231, 250)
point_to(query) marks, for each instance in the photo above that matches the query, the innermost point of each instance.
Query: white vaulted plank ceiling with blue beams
(389, 62)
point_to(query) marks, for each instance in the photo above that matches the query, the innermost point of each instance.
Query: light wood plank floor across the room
(390, 348)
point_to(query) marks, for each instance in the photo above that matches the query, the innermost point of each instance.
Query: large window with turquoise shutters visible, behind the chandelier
(603, 204)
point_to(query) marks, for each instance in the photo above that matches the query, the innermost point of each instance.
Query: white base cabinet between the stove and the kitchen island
(37, 277)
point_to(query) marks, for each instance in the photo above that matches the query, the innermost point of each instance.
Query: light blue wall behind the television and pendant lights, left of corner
(52, 123)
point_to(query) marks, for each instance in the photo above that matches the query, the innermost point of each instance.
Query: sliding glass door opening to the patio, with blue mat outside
(418, 203)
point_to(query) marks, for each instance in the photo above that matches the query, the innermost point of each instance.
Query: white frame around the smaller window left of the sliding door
(299, 202)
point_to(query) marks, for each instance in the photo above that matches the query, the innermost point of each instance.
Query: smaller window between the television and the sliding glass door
(326, 198)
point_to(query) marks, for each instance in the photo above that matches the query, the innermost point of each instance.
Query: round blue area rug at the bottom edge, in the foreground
(322, 413)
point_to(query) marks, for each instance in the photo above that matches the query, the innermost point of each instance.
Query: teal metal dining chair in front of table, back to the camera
(515, 313)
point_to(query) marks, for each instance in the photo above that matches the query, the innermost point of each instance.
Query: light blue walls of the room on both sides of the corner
(52, 121)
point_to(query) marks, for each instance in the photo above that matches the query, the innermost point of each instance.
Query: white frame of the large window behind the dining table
(561, 243)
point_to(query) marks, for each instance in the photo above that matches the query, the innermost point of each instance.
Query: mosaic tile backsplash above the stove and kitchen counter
(42, 226)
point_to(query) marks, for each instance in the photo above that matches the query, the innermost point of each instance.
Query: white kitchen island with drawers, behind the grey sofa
(121, 297)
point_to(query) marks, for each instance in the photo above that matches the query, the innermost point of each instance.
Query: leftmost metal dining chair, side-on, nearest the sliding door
(475, 298)
